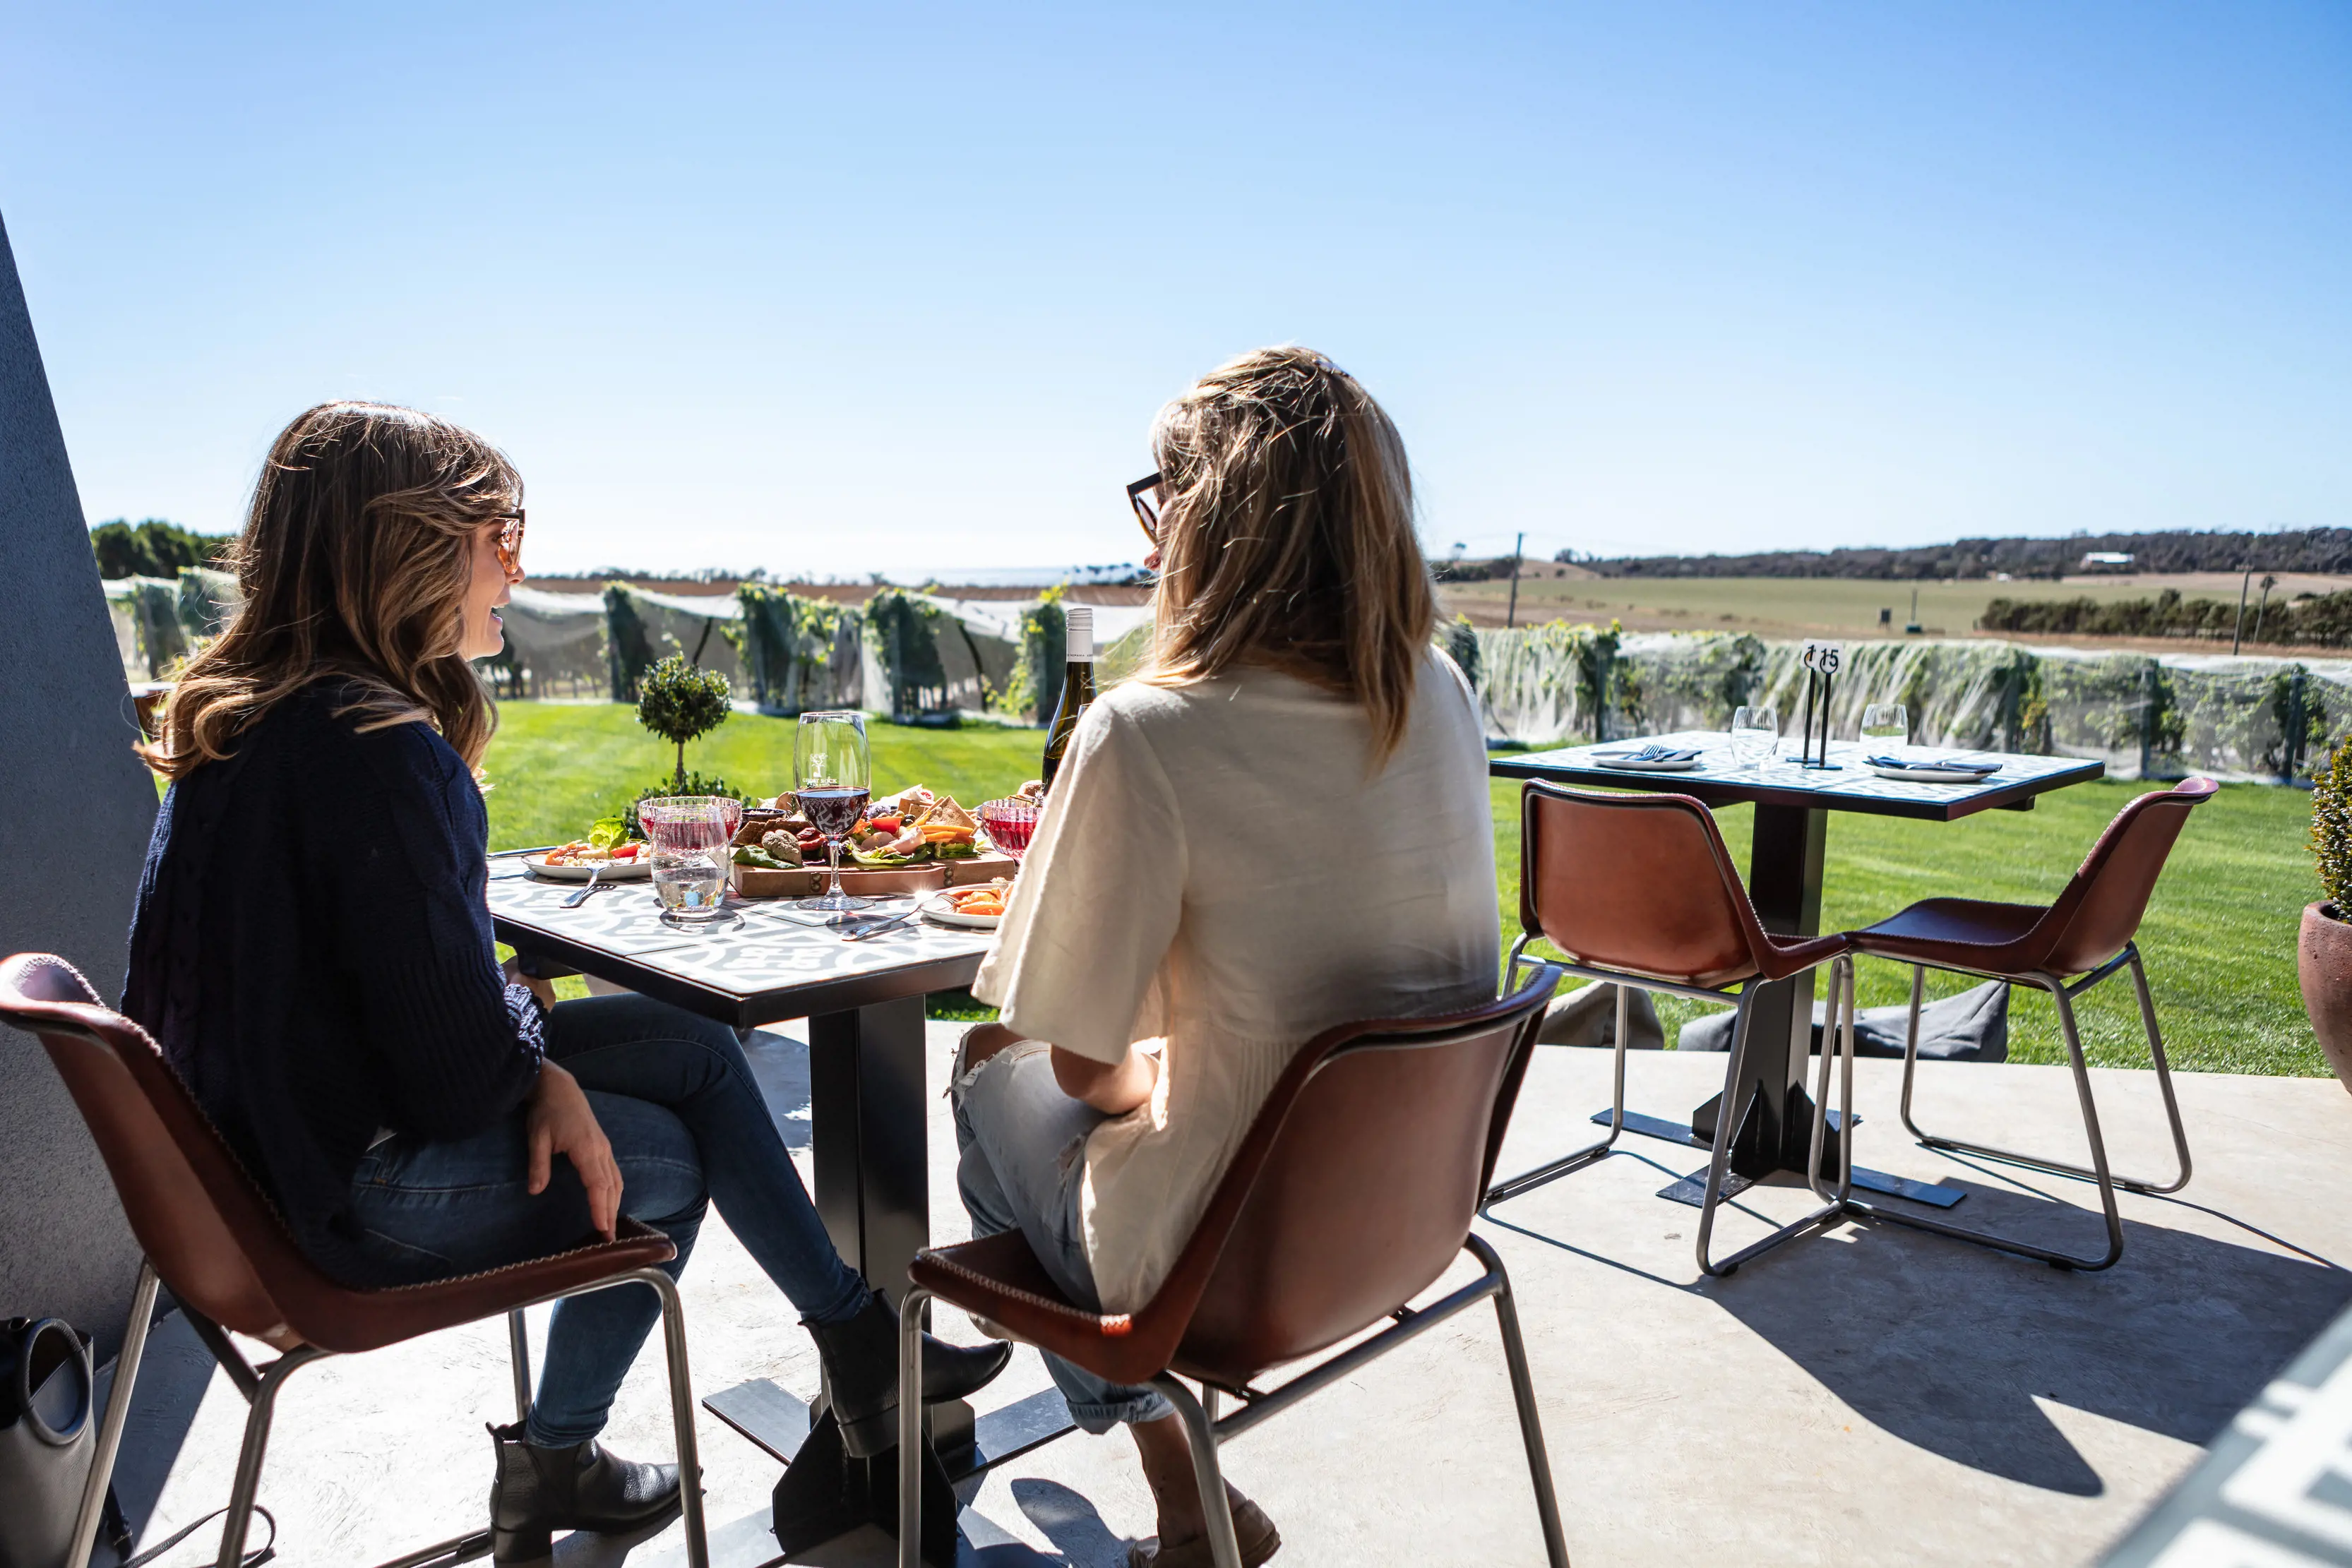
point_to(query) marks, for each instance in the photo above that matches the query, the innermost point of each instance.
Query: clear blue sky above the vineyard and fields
(900, 288)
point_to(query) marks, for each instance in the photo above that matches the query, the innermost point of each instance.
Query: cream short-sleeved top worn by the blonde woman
(1222, 869)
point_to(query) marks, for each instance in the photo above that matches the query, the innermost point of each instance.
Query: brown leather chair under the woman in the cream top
(1351, 1193)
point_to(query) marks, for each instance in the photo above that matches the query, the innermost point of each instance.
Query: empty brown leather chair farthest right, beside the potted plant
(2066, 949)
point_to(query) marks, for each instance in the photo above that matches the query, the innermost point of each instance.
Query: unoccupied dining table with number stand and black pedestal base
(1793, 803)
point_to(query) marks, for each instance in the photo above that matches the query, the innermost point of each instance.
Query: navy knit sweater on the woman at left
(314, 953)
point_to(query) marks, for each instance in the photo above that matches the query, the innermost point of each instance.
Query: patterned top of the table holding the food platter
(756, 963)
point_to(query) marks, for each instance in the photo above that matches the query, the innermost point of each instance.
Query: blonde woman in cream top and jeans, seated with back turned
(1281, 829)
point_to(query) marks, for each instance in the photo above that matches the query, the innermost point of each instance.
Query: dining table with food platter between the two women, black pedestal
(763, 963)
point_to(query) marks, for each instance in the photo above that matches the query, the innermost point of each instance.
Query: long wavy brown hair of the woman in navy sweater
(354, 565)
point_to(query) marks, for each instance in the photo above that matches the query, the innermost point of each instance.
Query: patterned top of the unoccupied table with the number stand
(1852, 786)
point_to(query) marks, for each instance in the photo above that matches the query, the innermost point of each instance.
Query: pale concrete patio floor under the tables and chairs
(1871, 1395)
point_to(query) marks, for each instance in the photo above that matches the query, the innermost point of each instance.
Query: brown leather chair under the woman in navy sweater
(211, 1235)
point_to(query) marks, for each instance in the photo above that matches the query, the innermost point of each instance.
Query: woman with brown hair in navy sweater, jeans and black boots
(314, 956)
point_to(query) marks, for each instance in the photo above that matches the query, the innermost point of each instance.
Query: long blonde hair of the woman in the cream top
(1288, 537)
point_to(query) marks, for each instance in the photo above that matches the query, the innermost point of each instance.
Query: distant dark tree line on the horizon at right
(2024, 558)
